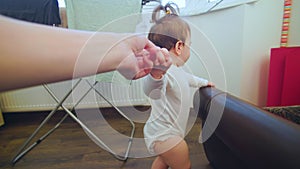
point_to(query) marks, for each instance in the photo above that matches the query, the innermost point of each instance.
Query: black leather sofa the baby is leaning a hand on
(246, 137)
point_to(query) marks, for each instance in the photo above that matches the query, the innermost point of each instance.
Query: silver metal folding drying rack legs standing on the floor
(23, 150)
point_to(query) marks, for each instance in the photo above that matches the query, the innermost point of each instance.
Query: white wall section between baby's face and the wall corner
(224, 29)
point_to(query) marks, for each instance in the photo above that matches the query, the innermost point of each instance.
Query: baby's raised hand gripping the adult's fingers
(161, 64)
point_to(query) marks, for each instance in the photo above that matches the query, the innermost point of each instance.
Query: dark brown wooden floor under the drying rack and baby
(70, 147)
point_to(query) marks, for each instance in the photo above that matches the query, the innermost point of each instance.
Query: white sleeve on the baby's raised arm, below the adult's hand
(154, 88)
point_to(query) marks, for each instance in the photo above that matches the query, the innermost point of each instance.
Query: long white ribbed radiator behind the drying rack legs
(38, 99)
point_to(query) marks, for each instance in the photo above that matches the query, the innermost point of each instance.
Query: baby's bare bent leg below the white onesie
(176, 157)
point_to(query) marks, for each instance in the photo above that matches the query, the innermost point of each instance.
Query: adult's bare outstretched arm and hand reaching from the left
(33, 54)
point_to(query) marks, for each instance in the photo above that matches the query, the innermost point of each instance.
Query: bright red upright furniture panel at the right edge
(284, 77)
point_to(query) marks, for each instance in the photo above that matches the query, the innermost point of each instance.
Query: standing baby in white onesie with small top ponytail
(165, 129)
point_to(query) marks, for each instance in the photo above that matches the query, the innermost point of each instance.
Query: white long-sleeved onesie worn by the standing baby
(170, 102)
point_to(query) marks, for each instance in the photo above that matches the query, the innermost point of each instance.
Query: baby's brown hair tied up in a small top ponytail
(169, 29)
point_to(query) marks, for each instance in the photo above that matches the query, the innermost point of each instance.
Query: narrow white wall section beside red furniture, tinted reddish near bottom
(262, 24)
